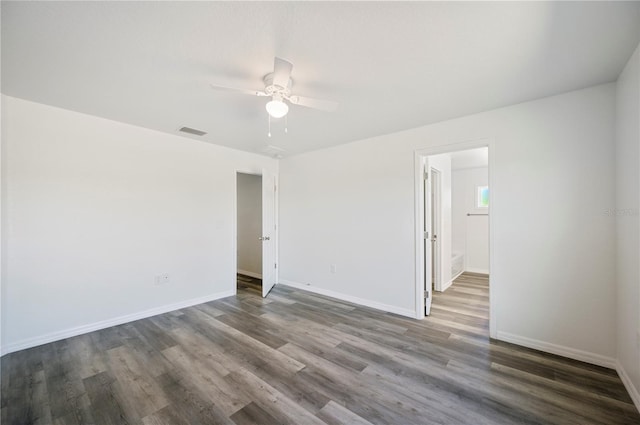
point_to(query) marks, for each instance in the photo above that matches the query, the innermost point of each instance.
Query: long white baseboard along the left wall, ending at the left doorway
(79, 330)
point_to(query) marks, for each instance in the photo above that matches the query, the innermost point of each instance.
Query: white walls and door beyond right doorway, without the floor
(456, 218)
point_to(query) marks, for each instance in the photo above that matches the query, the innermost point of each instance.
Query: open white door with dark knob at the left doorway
(268, 231)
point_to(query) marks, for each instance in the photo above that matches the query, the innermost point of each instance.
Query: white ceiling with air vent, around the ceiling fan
(392, 66)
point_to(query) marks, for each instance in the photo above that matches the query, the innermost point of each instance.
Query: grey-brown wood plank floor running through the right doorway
(299, 358)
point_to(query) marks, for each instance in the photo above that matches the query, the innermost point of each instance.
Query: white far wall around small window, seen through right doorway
(470, 233)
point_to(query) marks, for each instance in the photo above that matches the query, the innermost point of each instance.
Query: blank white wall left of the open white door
(94, 209)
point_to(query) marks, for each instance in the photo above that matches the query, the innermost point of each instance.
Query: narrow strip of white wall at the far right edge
(626, 216)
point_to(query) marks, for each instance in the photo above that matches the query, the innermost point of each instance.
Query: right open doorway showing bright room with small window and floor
(452, 207)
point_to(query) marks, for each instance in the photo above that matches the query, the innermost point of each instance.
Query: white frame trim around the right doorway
(420, 156)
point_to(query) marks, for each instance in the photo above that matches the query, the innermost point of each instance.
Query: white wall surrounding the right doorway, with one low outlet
(552, 252)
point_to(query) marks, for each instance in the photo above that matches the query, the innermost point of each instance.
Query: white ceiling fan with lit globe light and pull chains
(277, 85)
